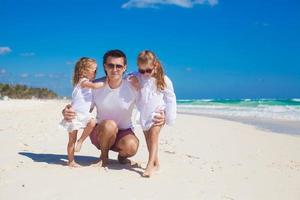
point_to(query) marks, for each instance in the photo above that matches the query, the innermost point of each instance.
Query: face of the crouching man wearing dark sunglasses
(114, 67)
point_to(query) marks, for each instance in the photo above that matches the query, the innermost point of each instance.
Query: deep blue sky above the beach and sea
(209, 48)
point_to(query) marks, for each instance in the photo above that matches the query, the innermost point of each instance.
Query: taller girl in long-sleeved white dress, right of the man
(156, 95)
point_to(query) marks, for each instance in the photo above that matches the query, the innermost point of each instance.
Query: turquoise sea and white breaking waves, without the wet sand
(283, 109)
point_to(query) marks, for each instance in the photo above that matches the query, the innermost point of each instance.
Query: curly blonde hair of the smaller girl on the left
(82, 65)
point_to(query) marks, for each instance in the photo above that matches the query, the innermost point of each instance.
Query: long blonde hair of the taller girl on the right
(149, 58)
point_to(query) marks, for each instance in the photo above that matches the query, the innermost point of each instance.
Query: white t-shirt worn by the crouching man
(115, 104)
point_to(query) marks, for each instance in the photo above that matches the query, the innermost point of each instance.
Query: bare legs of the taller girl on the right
(152, 145)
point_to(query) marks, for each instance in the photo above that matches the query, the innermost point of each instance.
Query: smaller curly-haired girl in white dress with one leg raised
(84, 72)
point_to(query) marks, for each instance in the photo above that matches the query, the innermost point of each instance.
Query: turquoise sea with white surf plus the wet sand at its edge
(277, 115)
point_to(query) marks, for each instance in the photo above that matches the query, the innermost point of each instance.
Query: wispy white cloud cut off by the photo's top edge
(157, 3)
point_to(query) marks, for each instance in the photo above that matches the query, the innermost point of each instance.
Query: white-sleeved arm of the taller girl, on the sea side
(170, 101)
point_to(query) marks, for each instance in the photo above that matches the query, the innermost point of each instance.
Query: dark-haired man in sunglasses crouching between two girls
(114, 103)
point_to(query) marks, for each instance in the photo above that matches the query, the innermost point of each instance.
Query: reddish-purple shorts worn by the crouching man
(120, 135)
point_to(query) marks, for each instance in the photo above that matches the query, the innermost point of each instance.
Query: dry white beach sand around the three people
(201, 158)
